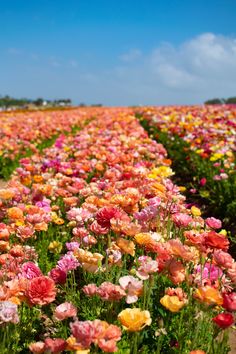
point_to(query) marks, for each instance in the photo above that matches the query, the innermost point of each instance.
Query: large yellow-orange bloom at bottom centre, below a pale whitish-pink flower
(134, 319)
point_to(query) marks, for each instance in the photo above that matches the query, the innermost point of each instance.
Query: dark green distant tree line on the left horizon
(9, 102)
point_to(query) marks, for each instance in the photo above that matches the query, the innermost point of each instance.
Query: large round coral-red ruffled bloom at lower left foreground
(41, 291)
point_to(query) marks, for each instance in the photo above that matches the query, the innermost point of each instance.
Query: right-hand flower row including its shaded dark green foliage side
(201, 142)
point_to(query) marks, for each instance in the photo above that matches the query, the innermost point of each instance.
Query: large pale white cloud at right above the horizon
(201, 68)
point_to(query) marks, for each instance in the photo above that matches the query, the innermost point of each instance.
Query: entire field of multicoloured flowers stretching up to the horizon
(99, 249)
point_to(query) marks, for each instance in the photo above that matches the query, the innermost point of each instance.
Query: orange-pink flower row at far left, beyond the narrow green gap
(22, 131)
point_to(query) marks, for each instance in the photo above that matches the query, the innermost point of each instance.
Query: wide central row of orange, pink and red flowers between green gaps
(94, 226)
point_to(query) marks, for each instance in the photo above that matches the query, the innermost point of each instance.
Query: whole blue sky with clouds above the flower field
(118, 52)
